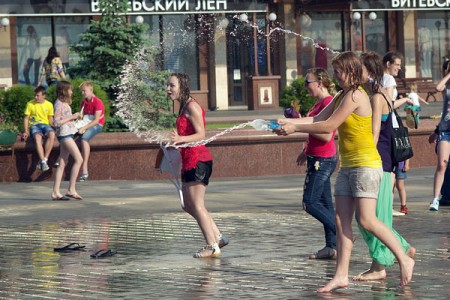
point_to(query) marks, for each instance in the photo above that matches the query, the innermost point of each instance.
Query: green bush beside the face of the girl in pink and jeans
(296, 93)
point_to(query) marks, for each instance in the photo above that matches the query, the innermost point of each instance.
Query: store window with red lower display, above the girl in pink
(326, 29)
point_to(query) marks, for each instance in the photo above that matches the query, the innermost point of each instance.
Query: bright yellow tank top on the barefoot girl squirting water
(356, 145)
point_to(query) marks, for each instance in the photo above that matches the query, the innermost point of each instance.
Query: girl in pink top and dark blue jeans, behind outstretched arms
(319, 154)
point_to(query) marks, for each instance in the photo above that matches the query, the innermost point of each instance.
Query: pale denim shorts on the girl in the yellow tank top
(361, 182)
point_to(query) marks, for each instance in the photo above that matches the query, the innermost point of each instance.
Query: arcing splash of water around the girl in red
(136, 89)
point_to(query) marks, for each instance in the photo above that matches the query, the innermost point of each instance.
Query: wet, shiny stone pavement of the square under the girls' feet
(271, 238)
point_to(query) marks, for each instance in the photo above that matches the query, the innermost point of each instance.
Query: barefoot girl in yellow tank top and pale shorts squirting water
(356, 187)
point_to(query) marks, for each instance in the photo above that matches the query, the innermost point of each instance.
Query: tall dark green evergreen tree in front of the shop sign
(107, 45)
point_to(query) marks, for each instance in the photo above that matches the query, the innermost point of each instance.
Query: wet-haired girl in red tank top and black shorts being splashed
(196, 163)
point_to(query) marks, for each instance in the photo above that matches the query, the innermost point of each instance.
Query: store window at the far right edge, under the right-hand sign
(433, 37)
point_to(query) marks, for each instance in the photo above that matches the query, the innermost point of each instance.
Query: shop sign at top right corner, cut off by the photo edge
(386, 5)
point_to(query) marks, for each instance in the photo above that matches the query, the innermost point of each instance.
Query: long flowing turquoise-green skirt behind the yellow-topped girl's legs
(378, 251)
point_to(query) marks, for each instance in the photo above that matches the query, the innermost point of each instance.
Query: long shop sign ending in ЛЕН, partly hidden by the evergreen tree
(91, 7)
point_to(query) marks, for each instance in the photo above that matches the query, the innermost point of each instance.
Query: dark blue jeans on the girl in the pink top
(317, 197)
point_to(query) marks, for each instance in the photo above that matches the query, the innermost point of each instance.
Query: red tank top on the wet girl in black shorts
(190, 156)
